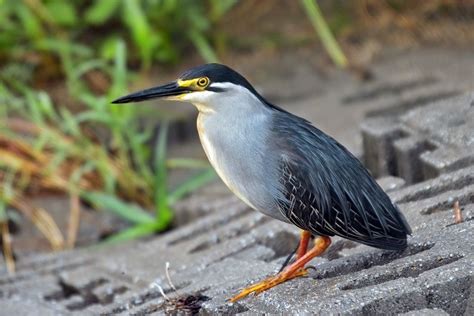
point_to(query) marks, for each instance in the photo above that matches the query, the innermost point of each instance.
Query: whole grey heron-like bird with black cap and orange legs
(284, 167)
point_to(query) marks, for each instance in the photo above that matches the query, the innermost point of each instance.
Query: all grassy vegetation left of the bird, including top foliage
(46, 145)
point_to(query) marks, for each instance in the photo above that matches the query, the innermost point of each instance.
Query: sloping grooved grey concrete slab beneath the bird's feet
(435, 272)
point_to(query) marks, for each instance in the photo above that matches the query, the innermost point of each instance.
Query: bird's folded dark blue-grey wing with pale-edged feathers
(329, 192)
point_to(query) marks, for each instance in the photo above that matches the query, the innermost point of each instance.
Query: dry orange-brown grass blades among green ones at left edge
(34, 173)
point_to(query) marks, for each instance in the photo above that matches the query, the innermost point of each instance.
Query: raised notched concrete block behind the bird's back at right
(422, 143)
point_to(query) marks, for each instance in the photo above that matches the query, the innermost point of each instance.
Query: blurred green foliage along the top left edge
(154, 30)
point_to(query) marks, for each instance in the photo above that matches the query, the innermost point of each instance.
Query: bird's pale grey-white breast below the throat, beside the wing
(238, 153)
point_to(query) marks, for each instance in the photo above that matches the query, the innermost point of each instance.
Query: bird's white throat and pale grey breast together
(233, 128)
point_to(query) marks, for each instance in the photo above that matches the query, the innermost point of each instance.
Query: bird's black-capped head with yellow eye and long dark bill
(208, 87)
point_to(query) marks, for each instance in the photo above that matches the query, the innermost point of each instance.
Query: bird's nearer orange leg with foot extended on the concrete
(296, 269)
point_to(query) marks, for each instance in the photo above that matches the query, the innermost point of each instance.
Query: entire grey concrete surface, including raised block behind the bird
(225, 246)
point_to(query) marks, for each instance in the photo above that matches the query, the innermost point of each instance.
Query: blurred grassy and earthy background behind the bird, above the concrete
(76, 170)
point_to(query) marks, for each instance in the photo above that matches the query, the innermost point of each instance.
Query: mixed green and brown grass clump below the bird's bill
(48, 147)
